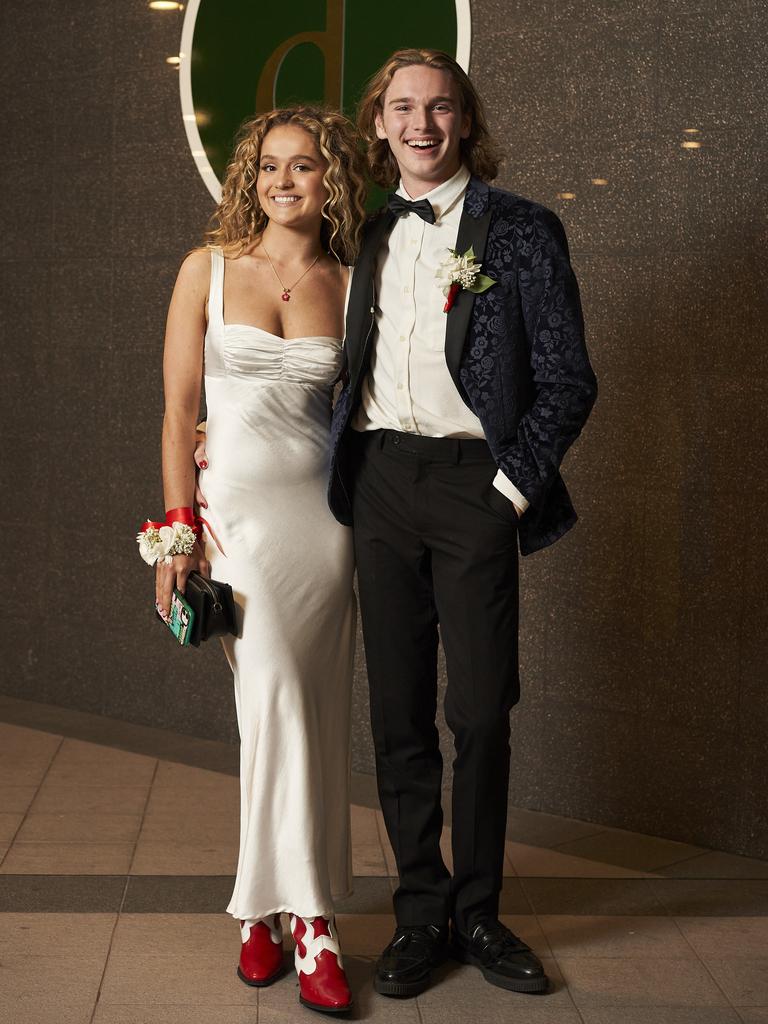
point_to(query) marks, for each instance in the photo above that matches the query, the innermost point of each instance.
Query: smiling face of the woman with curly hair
(290, 180)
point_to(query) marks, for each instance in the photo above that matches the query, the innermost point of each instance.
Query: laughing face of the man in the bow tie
(422, 120)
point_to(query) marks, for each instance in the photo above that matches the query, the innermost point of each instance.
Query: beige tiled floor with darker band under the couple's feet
(115, 868)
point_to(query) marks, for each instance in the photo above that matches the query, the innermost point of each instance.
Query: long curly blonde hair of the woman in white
(239, 220)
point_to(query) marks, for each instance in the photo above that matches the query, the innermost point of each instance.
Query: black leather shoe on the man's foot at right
(503, 959)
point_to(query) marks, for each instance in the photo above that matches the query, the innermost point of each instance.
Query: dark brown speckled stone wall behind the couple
(644, 632)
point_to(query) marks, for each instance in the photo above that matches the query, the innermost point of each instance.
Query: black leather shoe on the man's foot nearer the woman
(404, 969)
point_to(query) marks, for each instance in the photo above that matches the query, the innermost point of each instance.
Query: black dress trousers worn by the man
(437, 544)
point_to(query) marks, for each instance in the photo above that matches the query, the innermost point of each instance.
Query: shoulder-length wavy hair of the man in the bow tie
(479, 152)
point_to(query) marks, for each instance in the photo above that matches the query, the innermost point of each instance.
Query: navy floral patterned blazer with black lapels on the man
(517, 354)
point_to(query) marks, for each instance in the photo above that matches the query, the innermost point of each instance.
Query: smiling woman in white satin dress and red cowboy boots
(259, 316)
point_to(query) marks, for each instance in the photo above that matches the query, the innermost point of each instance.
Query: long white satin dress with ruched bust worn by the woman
(291, 566)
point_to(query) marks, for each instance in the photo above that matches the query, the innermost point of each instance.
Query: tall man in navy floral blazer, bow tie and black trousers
(447, 443)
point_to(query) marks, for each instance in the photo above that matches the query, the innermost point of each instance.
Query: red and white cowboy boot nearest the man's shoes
(323, 985)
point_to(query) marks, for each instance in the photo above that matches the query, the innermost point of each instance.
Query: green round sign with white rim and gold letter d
(240, 57)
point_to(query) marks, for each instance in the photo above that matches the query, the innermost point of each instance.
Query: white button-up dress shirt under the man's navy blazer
(409, 388)
